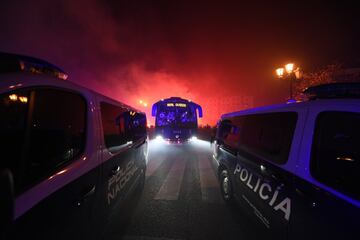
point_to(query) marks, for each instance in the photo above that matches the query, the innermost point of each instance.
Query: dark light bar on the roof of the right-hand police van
(333, 90)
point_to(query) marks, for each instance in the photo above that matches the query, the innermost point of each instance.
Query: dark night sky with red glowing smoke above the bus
(209, 51)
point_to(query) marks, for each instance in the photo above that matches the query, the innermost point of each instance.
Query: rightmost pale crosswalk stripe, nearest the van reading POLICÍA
(208, 181)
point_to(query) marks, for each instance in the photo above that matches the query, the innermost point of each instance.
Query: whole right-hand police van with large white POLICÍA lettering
(293, 169)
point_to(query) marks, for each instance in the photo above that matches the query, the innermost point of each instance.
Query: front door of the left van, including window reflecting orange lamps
(44, 136)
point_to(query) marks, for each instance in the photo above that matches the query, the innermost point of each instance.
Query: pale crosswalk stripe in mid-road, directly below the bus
(172, 184)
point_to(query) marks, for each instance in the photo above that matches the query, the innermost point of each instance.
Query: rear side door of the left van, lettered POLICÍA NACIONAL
(119, 165)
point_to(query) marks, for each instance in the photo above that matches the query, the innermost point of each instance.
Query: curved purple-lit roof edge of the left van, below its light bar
(13, 81)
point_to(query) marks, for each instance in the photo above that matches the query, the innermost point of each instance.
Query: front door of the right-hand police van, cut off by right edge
(326, 198)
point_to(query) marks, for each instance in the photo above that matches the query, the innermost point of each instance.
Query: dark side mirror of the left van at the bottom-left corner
(7, 201)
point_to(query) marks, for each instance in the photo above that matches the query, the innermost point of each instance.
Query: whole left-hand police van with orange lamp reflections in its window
(71, 159)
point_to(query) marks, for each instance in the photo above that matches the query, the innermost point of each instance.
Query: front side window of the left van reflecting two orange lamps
(41, 130)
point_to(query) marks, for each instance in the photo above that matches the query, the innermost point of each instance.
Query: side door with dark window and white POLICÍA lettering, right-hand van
(262, 186)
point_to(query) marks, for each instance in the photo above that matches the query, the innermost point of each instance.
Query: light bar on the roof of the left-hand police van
(10, 63)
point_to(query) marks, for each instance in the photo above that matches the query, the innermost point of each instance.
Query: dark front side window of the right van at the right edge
(335, 157)
